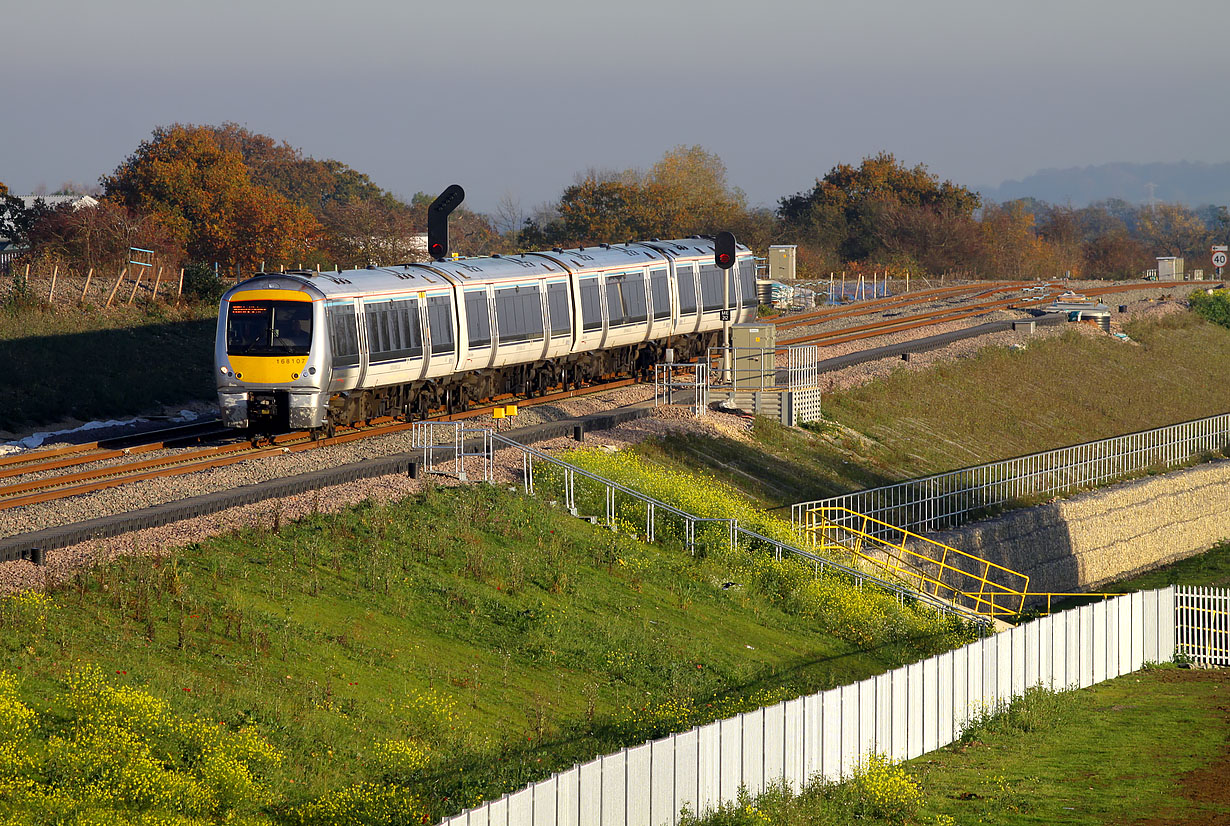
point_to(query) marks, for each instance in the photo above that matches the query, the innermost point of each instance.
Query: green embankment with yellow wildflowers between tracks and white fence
(398, 662)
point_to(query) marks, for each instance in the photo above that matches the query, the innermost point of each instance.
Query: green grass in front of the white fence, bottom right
(1151, 744)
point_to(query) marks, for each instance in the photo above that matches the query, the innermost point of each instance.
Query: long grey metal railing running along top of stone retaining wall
(948, 501)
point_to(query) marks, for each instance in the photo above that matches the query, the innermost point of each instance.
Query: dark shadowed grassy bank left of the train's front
(90, 363)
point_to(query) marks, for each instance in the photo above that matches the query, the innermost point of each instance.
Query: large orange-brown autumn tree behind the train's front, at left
(205, 197)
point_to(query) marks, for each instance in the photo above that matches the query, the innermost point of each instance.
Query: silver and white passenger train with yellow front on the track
(314, 351)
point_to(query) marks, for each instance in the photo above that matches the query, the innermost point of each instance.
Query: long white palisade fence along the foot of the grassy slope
(903, 714)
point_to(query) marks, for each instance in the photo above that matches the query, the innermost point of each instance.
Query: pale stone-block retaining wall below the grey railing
(1089, 540)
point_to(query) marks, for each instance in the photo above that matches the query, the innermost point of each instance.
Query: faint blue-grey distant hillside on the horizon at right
(1185, 183)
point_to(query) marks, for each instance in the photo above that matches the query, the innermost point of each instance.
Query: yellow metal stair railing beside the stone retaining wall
(935, 568)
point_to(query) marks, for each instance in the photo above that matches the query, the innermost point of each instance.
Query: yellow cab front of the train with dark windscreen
(270, 356)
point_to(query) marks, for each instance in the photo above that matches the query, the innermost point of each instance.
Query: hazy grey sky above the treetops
(516, 98)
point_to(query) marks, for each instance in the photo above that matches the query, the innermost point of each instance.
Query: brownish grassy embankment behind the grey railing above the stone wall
(994, 405)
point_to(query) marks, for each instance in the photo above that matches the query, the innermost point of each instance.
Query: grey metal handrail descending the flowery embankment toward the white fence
(655, 512)
